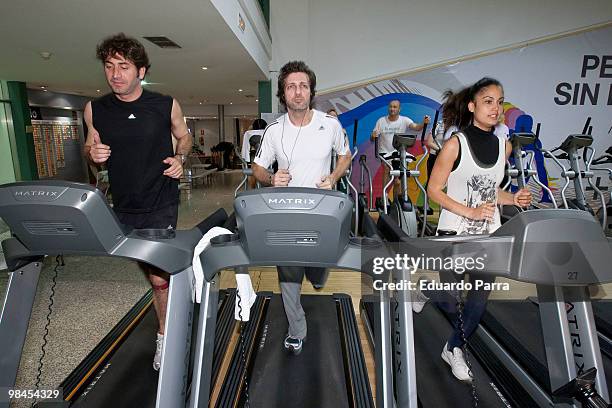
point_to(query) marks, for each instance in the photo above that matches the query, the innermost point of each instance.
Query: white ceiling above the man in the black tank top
(71, 29)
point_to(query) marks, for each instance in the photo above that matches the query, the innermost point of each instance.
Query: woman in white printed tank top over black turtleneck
(465, 181)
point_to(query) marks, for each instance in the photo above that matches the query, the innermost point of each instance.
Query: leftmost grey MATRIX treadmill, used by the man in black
(56, 217)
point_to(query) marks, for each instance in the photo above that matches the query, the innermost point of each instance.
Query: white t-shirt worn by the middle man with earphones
(305, 151)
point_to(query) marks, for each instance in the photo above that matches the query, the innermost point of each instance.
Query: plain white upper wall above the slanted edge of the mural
(349, 41)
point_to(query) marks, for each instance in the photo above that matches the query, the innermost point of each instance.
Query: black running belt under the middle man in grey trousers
(315, 377)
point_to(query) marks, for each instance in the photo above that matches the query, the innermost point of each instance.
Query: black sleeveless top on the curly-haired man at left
(139, 136)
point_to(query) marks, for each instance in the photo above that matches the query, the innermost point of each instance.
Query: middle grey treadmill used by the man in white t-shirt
(293, 227)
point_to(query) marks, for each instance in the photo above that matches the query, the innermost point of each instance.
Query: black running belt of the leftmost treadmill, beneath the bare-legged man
(129, 385)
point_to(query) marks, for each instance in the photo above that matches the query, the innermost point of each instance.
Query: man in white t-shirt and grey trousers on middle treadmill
(301, 141)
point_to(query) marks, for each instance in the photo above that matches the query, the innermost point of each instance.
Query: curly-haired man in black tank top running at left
(129, 129)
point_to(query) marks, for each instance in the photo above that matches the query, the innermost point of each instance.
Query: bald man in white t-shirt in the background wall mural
(389, 125)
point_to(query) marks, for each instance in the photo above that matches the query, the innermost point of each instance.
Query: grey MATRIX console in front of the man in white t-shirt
(293, 224)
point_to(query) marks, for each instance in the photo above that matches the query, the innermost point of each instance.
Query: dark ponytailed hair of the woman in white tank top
(455, 106)
